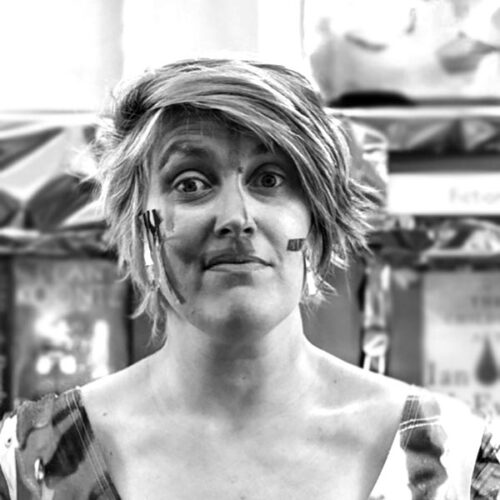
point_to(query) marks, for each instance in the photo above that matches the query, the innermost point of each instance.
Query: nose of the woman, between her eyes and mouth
(234, 212)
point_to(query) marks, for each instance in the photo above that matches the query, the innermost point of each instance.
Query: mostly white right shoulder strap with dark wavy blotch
(441, 452)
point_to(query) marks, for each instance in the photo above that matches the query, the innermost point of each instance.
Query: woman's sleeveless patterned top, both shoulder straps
(441, 451)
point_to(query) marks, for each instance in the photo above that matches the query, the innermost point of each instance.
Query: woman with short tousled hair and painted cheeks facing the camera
(228, 196)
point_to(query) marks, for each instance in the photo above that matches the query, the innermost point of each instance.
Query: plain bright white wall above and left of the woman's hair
(67, 56)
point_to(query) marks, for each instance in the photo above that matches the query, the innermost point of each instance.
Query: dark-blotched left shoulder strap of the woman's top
(52, 452)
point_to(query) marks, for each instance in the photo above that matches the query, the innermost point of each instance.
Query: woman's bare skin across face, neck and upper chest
(237, 404)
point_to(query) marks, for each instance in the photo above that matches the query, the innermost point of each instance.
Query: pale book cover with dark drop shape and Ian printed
(461, 336)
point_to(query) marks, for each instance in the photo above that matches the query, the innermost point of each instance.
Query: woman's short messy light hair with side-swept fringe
(276, 104)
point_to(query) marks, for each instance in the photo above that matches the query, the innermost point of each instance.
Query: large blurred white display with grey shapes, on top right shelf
(403, 51)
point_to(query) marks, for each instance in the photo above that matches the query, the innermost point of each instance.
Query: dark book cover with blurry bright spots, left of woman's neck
(67, 324)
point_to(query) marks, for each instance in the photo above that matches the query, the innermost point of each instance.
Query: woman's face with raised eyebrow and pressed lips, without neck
(228, 206)
